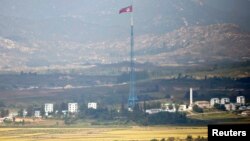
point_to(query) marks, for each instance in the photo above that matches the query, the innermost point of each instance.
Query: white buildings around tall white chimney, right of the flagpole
(229, 106)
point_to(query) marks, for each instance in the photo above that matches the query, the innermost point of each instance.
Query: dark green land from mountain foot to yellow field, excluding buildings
(112, 96)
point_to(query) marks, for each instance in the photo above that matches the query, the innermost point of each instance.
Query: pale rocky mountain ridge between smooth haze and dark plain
(187, 45)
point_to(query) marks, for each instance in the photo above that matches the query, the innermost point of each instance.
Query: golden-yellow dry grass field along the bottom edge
(99, 134)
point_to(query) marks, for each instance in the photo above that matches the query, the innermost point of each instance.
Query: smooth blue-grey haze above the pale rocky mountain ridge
(81, 20)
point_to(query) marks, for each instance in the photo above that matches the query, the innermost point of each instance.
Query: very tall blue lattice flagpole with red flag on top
(132, 99)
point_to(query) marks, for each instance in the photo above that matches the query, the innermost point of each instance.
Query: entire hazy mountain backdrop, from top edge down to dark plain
(49, 33)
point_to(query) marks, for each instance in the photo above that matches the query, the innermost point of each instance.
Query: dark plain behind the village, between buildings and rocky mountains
(33, 89)
